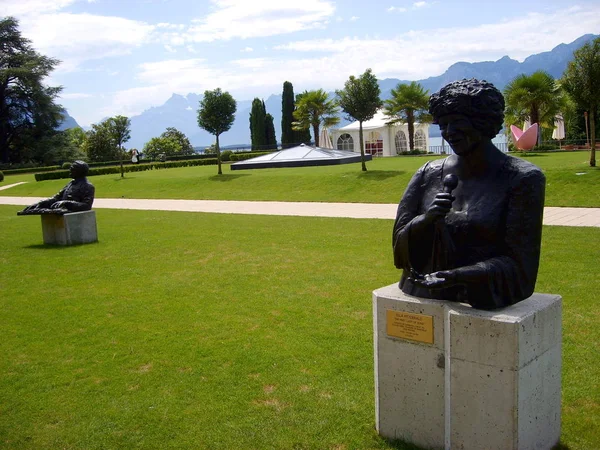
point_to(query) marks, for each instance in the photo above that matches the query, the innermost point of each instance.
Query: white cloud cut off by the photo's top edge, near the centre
(242, 19)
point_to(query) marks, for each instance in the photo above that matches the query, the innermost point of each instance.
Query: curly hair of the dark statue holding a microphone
(476, 99)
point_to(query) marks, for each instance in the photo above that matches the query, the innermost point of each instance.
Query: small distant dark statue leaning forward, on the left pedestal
(78, 195)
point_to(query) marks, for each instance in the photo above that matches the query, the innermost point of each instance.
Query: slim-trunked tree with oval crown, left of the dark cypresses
(216, 115)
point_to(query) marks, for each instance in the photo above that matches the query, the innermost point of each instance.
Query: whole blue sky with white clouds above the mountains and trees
(124, 56)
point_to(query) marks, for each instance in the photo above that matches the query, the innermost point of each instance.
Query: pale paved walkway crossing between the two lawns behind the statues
(580, 217)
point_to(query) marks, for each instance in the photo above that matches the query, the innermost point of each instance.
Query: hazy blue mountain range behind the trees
(180, 111)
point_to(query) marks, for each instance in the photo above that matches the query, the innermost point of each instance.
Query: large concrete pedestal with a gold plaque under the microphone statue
(450, 376)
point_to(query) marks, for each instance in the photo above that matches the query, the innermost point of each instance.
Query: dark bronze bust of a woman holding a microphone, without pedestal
(468, 228)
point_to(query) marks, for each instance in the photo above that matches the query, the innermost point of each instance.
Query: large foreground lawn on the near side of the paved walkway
(183, 330)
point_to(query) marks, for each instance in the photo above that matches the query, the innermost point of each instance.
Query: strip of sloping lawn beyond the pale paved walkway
(384, 182)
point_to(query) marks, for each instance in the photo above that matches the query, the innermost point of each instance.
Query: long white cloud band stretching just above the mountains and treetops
(412, 55)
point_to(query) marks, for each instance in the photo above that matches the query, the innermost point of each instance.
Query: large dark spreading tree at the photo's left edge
(28, 111)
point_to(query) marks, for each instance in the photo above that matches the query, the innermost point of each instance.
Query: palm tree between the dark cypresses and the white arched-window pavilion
(313, 108)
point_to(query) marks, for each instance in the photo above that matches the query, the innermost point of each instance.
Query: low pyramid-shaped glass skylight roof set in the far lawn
(302, 155)
